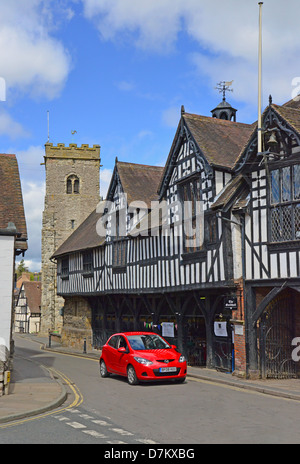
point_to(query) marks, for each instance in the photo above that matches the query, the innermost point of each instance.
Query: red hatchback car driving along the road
(142, 356)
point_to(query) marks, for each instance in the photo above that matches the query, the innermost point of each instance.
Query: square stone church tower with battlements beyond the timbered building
(72, 193)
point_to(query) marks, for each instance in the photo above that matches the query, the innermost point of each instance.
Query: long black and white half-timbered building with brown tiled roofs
(204, 251)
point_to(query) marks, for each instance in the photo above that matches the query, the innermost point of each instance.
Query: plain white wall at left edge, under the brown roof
(6, 292)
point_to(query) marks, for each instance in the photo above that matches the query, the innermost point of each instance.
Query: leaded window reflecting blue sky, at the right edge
(285, 204)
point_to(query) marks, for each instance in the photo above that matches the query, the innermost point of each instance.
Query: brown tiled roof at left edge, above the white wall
(11, 200)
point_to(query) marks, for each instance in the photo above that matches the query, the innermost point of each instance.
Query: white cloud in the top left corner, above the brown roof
(31, 59)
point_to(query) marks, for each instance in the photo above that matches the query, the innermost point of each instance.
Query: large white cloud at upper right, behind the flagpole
(227, 34)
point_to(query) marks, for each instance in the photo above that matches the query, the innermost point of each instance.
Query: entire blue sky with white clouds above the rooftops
(118, 71)
